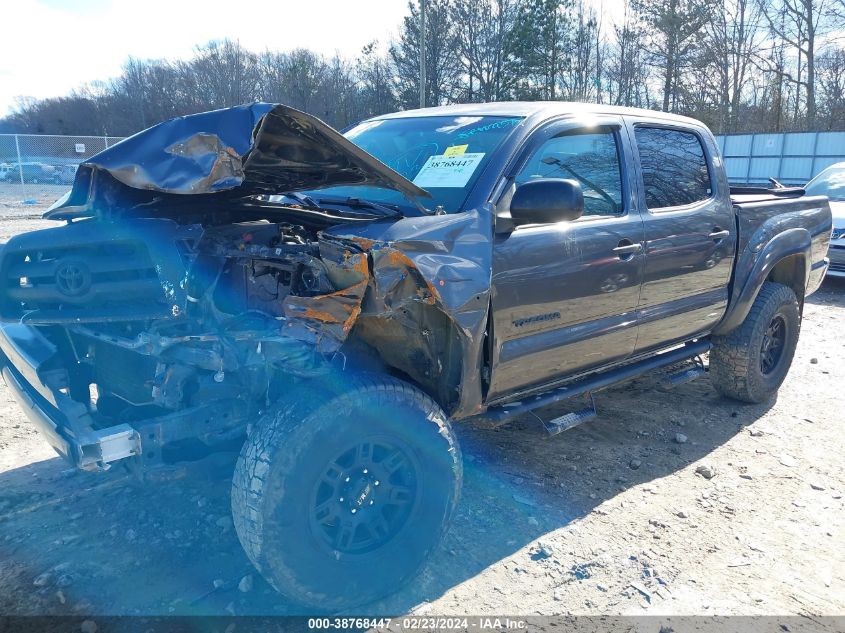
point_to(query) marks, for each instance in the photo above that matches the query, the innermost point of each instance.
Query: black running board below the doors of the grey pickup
(500, 414)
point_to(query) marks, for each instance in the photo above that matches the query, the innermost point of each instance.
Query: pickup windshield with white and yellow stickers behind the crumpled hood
(444, 155)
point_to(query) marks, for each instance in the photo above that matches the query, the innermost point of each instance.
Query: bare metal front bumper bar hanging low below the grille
(38, 383)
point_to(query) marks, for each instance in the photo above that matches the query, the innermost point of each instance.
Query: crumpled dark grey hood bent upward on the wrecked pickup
(242, 151)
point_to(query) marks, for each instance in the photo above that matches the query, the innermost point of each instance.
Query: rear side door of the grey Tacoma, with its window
(690, 233)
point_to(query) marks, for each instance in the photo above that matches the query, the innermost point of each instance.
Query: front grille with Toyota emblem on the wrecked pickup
(92, 272)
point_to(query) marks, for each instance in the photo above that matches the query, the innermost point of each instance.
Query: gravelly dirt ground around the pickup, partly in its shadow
(609, 518)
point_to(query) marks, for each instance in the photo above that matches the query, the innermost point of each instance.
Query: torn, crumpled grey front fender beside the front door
(426, 312)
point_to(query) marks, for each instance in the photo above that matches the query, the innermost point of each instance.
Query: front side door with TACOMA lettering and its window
(565, 294)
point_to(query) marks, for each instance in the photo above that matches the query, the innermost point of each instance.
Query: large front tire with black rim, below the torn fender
(338, 499)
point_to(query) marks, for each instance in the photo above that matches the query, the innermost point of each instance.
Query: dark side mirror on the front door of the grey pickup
(546, 201)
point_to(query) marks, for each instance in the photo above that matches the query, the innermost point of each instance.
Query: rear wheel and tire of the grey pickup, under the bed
(751, 362)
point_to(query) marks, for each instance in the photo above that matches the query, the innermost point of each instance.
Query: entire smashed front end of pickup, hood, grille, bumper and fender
(177, 304)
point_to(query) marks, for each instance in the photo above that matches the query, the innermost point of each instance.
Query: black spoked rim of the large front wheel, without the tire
(365, 496)
